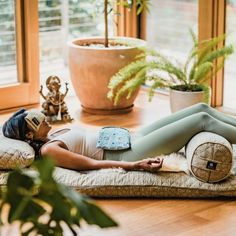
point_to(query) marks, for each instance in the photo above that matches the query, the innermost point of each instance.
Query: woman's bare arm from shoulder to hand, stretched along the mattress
(67, 159)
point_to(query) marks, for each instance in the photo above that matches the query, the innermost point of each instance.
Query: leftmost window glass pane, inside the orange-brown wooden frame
(8, 72)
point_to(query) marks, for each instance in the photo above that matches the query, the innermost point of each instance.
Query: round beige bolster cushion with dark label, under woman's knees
(209, 157)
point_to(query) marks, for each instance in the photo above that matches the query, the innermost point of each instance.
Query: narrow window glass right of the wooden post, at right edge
(230, 69)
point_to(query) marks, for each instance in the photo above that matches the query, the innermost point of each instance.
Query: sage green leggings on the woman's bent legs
(172, 133)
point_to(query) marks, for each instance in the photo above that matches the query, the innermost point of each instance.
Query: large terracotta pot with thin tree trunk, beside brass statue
(91, 69)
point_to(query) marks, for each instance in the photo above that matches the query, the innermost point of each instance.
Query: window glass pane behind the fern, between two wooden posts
(168, 25)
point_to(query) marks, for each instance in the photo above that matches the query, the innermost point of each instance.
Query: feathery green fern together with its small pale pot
(188, 83)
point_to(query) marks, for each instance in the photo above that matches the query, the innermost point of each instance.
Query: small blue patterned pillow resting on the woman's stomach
(113, 138)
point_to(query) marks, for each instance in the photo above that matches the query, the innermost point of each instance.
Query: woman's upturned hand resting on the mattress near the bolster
(149, 164)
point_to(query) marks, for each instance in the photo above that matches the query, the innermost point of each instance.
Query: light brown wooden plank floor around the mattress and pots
(147, 217)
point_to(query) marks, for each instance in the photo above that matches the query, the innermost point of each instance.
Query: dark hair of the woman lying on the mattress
(16, 128)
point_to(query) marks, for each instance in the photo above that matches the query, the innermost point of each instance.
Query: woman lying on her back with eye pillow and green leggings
(78, 149)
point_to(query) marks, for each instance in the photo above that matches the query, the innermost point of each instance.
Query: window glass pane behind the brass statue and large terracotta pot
(60, 21)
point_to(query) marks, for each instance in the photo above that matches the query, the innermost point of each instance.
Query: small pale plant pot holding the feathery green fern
(182, 99)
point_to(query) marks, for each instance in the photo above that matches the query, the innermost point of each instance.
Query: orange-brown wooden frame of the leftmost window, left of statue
(25, 91)
